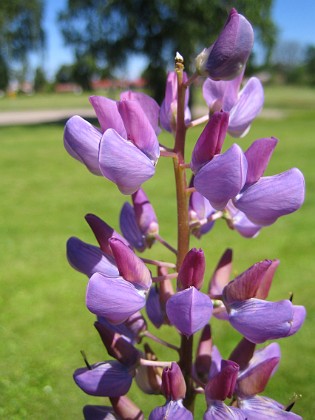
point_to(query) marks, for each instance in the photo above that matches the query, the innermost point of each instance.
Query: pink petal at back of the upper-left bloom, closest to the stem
(148, 104)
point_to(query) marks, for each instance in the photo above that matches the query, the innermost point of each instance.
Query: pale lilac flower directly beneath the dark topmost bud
(243, 107)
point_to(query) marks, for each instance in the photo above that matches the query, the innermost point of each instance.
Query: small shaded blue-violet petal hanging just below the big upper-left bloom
(130, 228)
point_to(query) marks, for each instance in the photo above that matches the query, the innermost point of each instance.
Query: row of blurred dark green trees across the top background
(104, 34)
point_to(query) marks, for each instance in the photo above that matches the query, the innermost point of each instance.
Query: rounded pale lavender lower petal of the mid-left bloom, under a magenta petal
(115, 299)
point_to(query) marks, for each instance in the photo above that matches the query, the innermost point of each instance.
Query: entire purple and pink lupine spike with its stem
(227, 185)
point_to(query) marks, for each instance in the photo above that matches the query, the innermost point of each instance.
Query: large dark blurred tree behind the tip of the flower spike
(112, 30)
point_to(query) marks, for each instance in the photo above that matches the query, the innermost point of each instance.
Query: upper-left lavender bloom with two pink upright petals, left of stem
(126, 149)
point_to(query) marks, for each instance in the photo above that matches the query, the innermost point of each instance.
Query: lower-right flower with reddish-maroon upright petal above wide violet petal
(255, 318)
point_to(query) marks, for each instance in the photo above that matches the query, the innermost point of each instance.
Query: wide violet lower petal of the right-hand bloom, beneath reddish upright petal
(259, 320)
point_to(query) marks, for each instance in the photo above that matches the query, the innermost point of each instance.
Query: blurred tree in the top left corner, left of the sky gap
(20, 29)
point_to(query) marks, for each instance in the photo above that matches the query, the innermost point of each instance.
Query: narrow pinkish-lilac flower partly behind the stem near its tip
(168, 111)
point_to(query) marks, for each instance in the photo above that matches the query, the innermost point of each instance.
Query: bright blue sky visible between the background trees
(295, 19)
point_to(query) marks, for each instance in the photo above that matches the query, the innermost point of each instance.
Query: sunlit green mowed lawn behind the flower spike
(43, 319)
